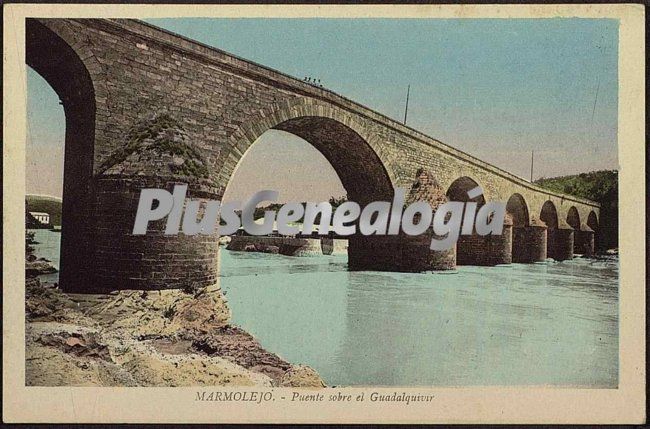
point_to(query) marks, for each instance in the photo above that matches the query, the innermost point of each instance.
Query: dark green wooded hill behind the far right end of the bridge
(600, 186)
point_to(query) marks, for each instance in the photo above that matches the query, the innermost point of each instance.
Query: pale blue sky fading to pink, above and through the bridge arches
(494, 88)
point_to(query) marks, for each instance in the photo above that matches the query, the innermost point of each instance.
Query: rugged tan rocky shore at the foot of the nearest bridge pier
(137, 338)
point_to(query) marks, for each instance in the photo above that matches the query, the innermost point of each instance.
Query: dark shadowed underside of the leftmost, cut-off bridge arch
(54, 56)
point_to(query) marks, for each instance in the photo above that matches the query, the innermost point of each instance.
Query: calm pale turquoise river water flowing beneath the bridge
(549, 324)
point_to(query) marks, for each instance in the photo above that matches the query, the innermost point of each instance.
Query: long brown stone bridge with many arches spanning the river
(148, 108)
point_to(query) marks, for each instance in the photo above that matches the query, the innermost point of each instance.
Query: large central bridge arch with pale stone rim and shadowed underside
(344, 144)
